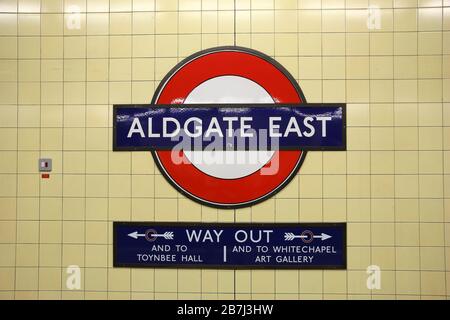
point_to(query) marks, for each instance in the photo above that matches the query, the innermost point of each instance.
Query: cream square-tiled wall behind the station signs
(61, 72)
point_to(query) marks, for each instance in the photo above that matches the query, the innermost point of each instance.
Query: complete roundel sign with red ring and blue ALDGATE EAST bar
(217, 98)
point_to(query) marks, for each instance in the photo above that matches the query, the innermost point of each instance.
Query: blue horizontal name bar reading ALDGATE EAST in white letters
(229, 127)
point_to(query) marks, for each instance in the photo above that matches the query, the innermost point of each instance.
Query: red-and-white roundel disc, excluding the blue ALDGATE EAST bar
(230, 76)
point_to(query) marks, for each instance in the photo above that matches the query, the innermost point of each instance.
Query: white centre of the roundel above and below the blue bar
(228, 164)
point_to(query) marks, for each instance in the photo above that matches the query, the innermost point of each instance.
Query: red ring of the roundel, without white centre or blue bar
(205, 65)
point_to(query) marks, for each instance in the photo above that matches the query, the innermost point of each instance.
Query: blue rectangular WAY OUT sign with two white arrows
(230, 246)
